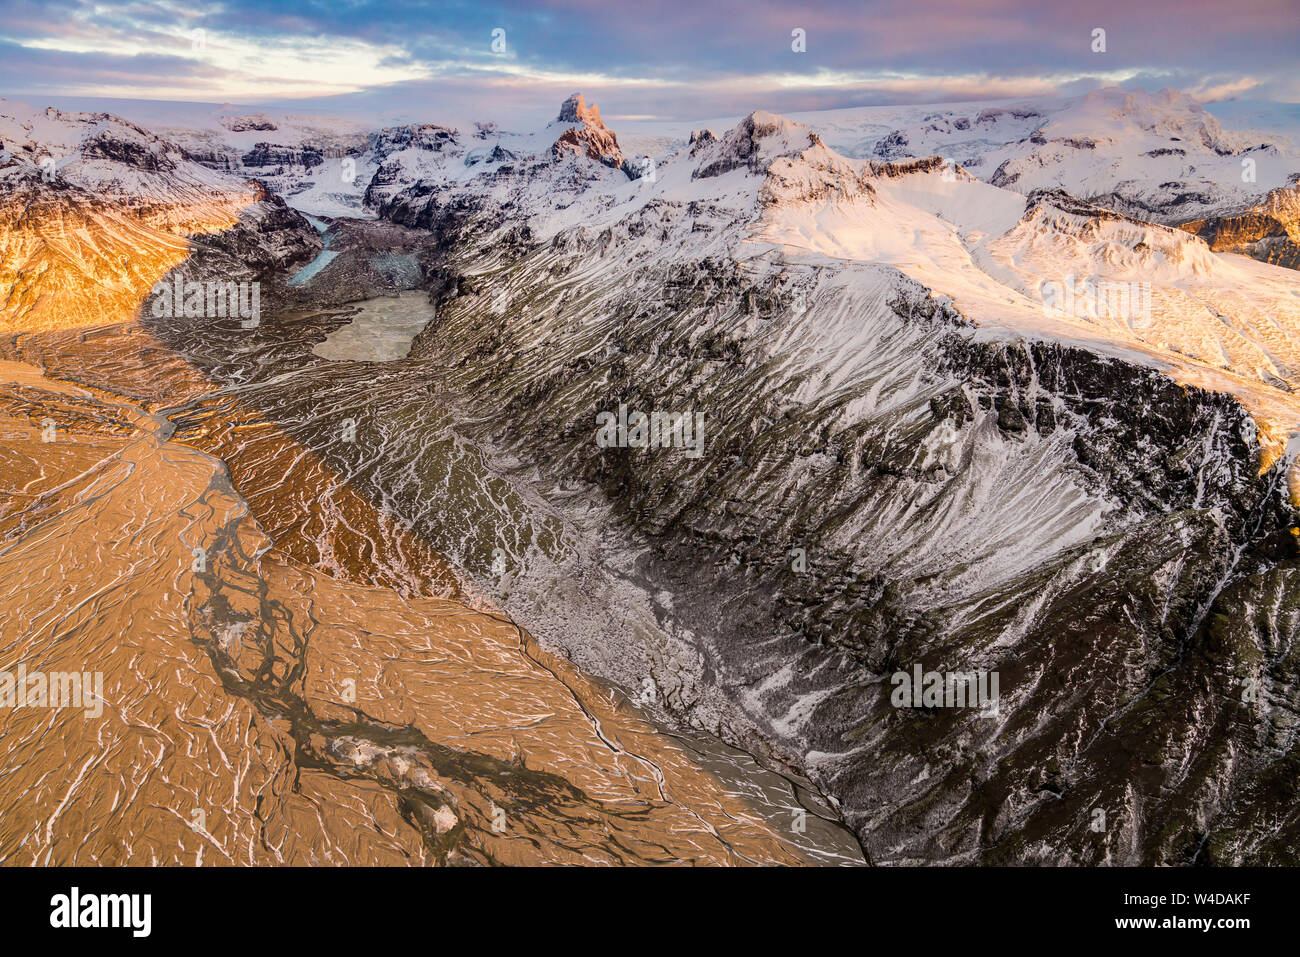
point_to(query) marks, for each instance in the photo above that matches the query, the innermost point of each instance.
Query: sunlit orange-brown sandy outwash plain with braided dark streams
(258, 711)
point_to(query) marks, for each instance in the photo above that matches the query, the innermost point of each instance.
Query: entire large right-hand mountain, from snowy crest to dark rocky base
(907, 464)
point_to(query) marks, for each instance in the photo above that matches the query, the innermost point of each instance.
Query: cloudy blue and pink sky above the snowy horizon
(657, 59)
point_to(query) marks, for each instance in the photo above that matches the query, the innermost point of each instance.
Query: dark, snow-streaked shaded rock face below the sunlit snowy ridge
(1098, 535)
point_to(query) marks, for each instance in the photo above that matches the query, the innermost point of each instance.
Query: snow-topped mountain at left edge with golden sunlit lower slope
(97, 210)
